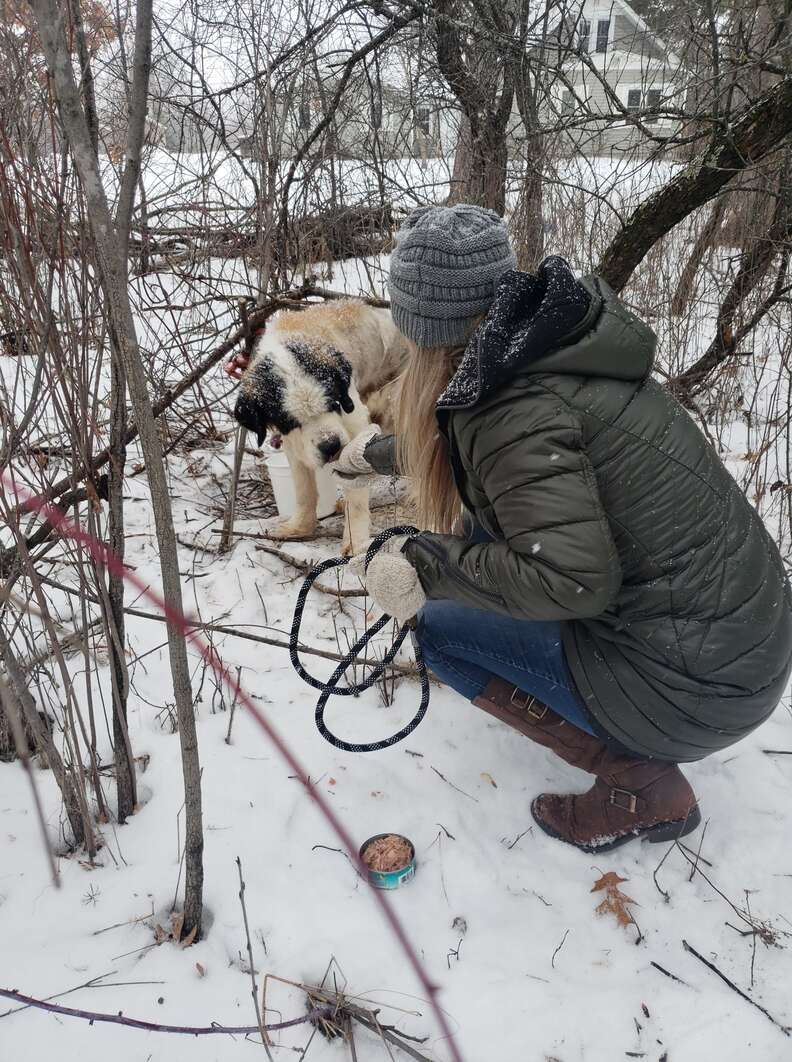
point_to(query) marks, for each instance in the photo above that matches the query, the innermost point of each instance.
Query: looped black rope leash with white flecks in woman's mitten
(332, 688)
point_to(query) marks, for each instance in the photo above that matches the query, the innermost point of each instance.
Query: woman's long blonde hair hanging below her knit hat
(423, 451)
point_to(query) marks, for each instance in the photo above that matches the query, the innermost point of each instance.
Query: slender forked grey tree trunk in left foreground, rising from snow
(113, 275)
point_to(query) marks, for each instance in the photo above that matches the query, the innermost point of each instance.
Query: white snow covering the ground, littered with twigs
(536, 975)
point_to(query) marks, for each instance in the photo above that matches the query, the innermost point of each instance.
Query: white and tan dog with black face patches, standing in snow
(318, 378)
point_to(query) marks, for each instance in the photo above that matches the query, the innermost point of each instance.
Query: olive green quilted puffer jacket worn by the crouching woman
(614, 516)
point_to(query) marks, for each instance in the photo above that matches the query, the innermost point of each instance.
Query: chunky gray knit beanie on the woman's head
(444, 271)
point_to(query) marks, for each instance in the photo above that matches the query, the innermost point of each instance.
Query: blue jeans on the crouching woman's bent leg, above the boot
(467, 647)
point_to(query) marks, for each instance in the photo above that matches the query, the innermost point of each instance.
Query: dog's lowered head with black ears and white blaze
(301, 389)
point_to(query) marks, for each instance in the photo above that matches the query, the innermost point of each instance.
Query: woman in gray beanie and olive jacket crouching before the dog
(615, 597)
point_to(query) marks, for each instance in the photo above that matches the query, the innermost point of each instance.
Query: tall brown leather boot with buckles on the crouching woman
(631, 797)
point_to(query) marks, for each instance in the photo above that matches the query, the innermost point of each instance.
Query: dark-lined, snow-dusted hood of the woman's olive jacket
(550, 322)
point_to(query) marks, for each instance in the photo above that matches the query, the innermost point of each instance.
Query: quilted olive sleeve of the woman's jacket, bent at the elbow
(558, 559)
